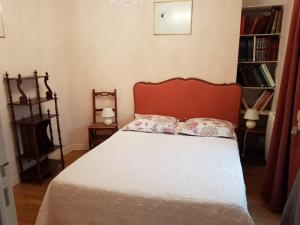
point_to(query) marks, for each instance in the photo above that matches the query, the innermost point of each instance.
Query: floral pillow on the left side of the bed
(153, 124)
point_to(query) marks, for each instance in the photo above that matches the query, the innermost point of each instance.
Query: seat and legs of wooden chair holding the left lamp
(99, 132)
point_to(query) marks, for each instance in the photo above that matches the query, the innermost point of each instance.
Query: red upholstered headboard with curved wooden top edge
(188, 98)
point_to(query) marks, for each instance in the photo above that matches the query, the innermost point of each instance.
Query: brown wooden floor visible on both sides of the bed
(28, 197)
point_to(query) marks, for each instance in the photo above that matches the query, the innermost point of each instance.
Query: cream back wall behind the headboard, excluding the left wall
(113, 47)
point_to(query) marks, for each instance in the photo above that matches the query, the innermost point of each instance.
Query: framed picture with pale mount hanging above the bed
(173, 17)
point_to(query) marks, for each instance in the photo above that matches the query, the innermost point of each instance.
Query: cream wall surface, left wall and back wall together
(103, 45)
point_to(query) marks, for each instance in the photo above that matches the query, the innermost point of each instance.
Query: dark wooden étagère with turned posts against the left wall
(33, 134)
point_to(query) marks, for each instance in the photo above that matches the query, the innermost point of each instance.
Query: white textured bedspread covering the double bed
(150, 179)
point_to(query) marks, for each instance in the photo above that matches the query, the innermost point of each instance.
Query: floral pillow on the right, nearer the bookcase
(208, 127)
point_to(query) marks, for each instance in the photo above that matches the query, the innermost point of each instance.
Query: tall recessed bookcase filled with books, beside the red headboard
(257, 62)
